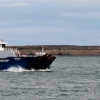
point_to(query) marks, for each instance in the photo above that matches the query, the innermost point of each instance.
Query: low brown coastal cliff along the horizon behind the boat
(64, 50)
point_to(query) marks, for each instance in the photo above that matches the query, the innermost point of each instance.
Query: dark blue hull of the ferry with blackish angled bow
(41, 62)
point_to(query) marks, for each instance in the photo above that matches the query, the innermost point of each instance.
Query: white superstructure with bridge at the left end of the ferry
(7, 52)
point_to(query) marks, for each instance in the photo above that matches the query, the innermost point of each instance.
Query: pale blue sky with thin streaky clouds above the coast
(50, 22)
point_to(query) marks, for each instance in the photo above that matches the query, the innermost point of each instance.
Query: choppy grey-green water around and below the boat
(70, 78)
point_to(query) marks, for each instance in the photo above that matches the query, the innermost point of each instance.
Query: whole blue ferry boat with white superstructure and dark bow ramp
(11, 57)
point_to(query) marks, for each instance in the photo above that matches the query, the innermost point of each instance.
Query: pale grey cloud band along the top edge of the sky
(58, 2)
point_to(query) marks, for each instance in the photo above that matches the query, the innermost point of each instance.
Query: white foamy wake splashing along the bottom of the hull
(20, 69)
